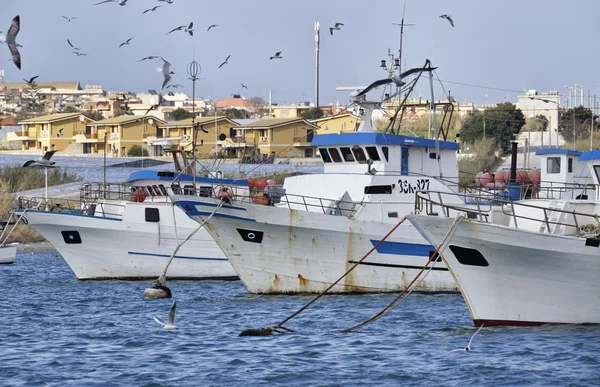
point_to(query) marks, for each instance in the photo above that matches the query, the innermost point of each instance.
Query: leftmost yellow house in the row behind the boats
(50, 132)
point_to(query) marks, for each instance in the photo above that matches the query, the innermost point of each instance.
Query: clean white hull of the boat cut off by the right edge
(532, 278)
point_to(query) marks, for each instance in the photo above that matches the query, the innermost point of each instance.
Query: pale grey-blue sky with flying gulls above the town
(509, 44)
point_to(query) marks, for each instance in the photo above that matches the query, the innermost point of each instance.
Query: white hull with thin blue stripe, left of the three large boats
(127, 249)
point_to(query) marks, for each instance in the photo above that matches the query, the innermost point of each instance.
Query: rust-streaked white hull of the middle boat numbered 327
(305, 252)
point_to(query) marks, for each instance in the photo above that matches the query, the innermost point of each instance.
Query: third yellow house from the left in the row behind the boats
(178, 134)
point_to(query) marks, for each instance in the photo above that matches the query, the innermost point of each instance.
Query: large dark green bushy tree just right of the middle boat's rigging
(502, 122)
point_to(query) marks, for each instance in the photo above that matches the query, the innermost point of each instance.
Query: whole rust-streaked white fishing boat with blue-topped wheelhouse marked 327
(303, 237)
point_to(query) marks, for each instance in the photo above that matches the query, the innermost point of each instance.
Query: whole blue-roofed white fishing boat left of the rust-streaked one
(107, 235)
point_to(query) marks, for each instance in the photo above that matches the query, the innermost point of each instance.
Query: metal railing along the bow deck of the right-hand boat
(553, 216)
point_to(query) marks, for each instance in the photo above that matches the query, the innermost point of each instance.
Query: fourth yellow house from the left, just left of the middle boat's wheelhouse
(281, 137)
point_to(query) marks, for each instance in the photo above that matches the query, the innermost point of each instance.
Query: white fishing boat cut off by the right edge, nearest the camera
(529, 262)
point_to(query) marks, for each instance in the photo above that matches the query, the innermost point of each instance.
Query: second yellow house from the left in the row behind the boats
(122, 133)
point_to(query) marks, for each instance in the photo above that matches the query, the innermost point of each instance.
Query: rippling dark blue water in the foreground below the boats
(57, 330)
